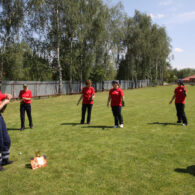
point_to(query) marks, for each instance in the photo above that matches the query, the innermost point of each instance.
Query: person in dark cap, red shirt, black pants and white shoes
(116, 97)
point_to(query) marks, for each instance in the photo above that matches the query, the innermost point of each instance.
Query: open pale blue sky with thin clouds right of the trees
(178, 18)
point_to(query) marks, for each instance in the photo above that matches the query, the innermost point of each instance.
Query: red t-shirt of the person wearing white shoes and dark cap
(116, 96)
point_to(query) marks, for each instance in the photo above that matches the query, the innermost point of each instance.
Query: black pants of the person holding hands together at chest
(25, 107)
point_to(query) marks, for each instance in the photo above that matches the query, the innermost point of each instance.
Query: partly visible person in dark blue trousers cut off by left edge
(5, 141)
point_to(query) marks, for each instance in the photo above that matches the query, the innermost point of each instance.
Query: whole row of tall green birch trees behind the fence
(79, 39)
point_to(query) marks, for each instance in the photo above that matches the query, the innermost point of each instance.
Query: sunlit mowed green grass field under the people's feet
(150, 155)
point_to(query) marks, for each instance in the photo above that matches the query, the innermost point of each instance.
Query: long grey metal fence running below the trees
(49, 88)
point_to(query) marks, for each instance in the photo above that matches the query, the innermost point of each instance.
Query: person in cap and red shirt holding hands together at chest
(25, 105)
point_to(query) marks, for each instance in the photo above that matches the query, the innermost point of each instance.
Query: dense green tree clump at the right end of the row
(148, 49)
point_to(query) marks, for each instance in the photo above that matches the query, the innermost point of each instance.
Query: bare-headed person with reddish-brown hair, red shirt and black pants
(88, 95)
